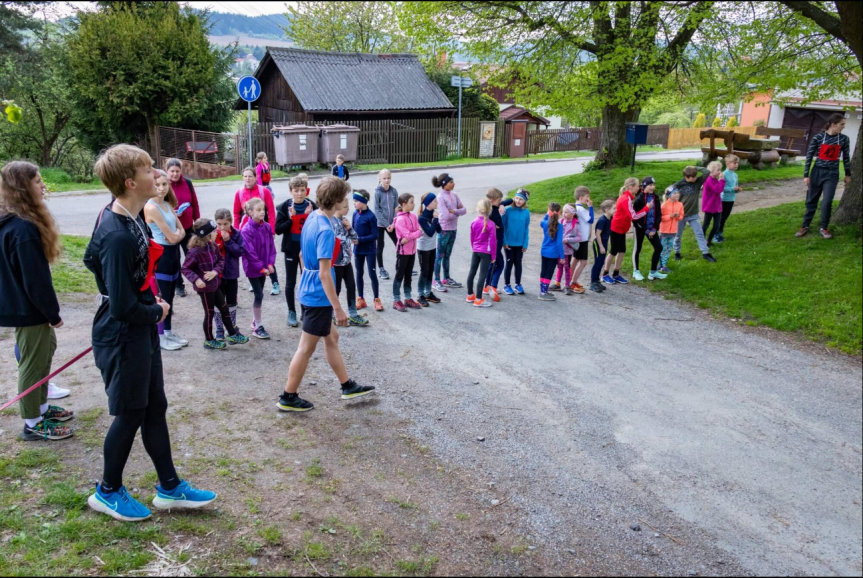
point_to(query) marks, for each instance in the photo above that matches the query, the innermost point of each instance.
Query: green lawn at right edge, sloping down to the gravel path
(766, 276)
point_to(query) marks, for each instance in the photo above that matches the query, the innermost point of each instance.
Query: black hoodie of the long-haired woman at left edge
(28, 293)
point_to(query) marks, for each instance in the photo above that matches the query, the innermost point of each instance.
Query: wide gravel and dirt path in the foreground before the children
(597, 414)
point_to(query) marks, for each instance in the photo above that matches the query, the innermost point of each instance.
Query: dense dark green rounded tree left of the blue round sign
(132, 68)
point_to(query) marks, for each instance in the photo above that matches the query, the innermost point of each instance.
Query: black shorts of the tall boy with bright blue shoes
(132, 373)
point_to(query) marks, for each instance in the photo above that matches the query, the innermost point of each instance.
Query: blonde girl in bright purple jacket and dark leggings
(259, 257)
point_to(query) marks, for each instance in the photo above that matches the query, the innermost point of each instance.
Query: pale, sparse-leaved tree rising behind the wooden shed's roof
(369, 27)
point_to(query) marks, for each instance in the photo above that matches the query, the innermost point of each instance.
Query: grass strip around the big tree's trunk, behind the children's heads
(606, 184)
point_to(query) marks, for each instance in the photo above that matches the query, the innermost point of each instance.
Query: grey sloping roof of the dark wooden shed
(334, 81)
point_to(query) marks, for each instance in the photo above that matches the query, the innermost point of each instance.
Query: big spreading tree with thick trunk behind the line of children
(612, 55)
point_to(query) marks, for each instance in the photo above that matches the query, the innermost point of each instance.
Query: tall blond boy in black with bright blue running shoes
(125, 339)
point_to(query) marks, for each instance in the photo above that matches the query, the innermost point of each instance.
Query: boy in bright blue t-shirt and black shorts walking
(318, 298)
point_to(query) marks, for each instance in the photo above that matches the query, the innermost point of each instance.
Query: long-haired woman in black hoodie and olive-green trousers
(28, 243)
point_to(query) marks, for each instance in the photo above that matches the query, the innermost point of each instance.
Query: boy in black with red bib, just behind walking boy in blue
(290, 218)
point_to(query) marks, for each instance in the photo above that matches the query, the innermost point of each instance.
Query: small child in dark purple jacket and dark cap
(203, 267)
